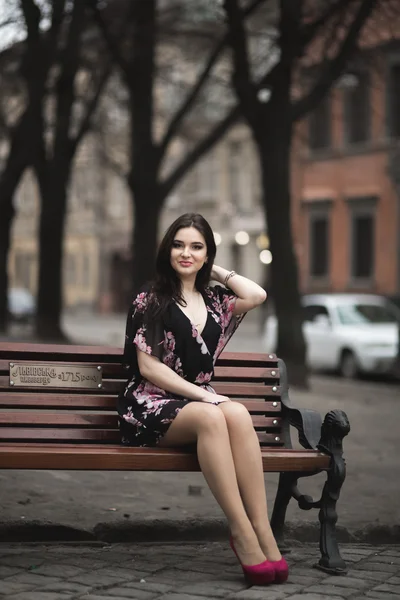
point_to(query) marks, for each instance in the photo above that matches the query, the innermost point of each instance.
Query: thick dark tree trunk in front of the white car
(274, 138)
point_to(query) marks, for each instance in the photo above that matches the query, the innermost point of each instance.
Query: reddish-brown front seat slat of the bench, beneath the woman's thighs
(119, 458)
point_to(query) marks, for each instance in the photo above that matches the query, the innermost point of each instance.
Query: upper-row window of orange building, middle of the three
(356, 108)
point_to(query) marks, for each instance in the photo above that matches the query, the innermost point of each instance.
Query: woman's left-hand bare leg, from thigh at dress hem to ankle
(205, 424)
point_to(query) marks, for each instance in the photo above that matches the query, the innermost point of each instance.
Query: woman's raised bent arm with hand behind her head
(249, 293)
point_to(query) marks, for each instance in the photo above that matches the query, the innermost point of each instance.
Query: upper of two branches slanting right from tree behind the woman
(189, 101)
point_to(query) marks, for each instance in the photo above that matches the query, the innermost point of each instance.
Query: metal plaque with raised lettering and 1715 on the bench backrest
(55, 375)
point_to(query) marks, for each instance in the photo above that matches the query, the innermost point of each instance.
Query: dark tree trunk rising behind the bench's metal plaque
(53, 188)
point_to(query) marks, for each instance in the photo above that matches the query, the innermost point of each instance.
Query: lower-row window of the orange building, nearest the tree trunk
(319, 239)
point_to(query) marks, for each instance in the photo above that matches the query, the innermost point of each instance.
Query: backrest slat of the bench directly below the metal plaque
(68, 401)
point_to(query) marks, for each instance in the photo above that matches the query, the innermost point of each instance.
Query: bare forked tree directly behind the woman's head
(149, 184)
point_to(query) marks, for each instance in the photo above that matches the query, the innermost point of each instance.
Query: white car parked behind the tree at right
(349, 333)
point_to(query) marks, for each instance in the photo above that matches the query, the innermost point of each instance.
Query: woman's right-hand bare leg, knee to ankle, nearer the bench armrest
(249, 472)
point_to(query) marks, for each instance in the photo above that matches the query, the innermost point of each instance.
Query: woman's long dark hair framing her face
(167, 286)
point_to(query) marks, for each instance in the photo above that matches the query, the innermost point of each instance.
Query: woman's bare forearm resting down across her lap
(152, 369)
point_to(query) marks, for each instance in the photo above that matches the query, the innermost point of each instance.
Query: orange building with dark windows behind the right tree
(346, 182)
